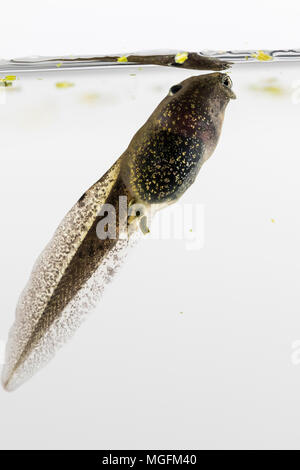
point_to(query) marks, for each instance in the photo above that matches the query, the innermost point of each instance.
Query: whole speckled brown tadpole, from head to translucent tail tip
(161, 162)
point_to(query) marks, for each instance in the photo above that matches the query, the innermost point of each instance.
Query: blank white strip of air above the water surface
(97, 26)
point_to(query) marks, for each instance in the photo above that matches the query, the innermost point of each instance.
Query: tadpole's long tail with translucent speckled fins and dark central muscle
(65, 284)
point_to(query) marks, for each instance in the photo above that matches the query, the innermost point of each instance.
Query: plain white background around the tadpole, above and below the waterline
(224, 373)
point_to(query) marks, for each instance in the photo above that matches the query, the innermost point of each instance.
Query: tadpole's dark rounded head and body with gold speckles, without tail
(165, 156)
